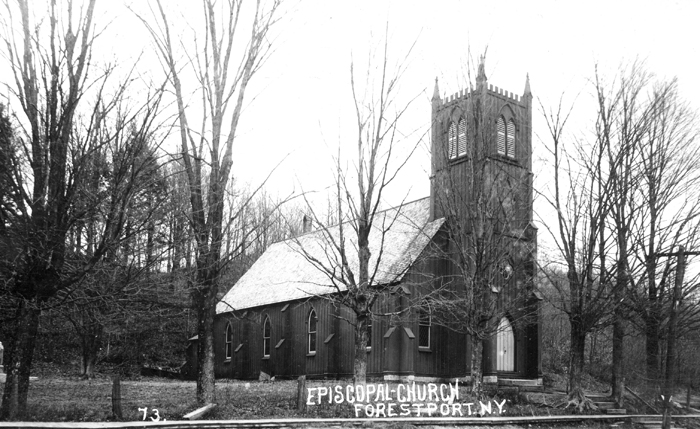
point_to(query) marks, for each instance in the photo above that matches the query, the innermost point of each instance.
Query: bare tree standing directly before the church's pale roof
(350, 254)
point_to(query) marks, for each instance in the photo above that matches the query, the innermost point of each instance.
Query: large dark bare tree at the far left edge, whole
(67, 115)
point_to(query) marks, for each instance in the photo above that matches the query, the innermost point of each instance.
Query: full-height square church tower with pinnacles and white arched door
(481, 182)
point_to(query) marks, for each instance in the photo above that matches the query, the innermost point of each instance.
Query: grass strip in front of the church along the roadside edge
(72, 399)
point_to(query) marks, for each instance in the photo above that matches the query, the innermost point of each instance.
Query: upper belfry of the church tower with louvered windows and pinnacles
(480, 125)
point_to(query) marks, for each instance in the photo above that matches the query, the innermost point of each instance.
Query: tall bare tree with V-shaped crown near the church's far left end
(236, 45)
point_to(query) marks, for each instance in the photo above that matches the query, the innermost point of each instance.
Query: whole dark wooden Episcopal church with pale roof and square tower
(276, 319)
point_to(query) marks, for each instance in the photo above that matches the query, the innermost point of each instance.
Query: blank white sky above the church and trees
(303, 105)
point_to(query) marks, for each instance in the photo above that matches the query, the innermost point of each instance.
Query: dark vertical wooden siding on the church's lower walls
(392, 353)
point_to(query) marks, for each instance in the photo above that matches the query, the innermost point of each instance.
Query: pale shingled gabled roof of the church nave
(285, 273)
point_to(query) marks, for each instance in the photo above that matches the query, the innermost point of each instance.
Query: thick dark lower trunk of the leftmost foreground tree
(14, 399)
